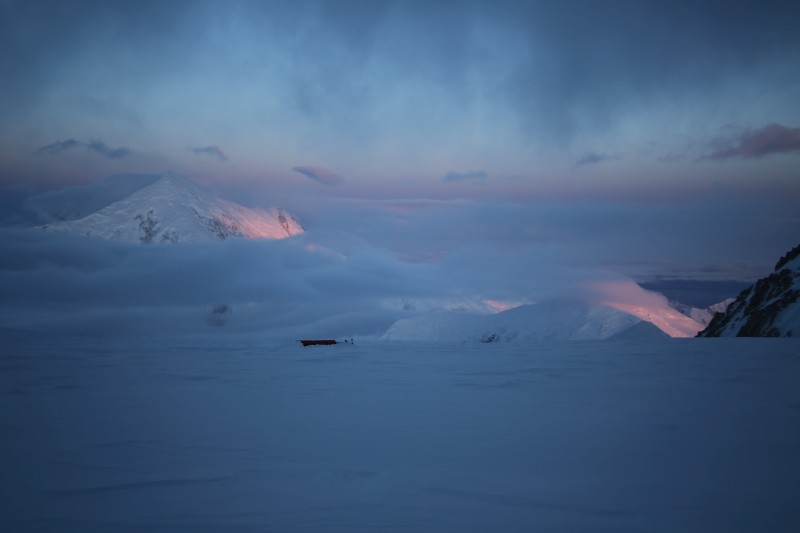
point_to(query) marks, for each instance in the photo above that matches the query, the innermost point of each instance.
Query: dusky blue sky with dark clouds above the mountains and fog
(657, 114)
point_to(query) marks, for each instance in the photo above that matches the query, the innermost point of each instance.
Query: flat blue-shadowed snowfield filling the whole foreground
(675, 435)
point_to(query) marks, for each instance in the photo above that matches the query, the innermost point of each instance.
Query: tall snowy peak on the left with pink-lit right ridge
(173, 209)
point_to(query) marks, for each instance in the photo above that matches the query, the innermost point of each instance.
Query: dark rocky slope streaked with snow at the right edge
(770, 308)
